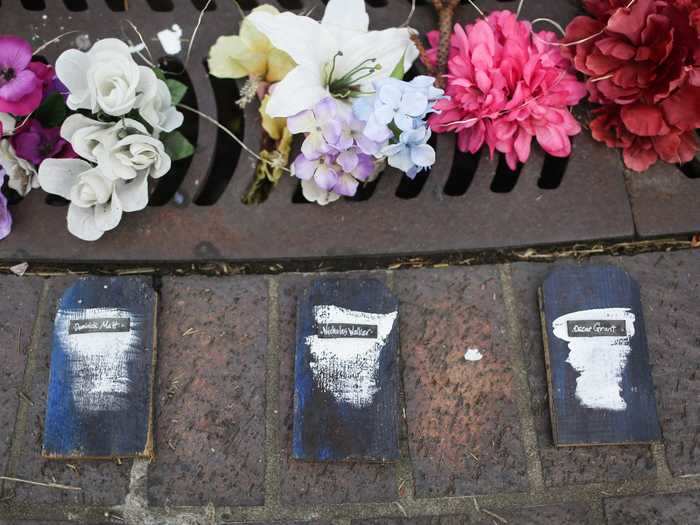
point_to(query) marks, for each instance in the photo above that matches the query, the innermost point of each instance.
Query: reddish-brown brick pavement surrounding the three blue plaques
(476, 441)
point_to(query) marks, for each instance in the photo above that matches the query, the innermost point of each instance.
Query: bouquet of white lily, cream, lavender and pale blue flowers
(338, 85)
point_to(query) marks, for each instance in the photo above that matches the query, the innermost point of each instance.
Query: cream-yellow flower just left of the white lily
(249, 53)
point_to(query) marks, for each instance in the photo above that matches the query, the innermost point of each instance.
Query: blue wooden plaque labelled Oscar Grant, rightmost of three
(595, 344)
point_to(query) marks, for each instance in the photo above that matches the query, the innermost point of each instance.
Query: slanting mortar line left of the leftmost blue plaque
(24, 403)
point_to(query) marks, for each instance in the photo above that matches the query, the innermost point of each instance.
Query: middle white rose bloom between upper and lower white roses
(122, 150)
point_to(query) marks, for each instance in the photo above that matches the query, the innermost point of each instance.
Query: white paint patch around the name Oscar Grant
(599, 341)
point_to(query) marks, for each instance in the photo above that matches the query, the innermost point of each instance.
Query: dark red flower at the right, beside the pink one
(642, 60)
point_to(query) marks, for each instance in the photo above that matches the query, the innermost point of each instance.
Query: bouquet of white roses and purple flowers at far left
(93, 129)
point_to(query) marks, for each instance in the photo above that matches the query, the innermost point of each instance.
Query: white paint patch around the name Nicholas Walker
(348, 367)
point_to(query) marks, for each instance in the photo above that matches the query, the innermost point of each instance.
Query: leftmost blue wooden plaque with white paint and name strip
(100, 396)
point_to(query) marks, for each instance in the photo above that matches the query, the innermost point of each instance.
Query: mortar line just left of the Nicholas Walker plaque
(272, 399)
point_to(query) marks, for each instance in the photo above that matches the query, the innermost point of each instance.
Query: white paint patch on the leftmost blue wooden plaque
(97, 362)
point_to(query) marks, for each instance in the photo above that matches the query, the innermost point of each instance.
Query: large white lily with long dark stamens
(335, 57)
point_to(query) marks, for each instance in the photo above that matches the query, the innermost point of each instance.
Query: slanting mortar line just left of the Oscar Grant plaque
(522, 389)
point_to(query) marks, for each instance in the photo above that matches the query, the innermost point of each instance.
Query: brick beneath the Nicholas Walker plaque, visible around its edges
(305, 483)
